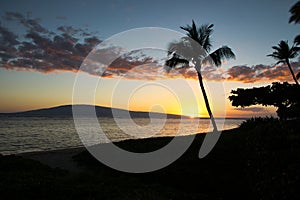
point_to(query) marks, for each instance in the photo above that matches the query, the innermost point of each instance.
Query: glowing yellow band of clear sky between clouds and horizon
(55, 89)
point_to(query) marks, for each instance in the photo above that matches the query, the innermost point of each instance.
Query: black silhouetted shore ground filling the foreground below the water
(259, 160)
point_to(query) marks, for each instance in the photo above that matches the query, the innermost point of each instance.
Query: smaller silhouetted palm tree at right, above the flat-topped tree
(283, 53)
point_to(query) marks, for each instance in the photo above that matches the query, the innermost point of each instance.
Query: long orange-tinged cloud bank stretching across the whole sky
(65, 48)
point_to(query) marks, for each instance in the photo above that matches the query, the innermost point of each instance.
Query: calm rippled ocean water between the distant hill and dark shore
(20, 134)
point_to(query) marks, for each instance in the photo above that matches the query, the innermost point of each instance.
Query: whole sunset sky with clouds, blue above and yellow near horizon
(42, 45)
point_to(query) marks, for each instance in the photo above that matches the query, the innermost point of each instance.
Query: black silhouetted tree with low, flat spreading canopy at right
(284, 96)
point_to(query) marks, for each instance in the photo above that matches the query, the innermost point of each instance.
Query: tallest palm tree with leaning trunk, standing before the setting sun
(193, 50)
